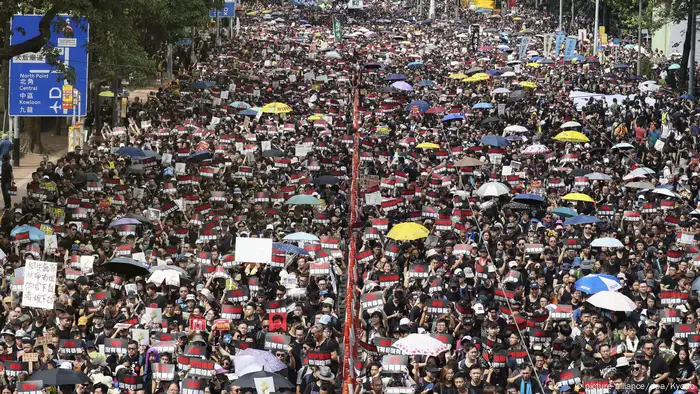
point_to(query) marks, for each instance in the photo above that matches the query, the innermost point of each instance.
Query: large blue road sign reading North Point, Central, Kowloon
(35, 86)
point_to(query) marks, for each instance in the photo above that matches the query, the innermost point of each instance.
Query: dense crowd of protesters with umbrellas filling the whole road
(525, 224)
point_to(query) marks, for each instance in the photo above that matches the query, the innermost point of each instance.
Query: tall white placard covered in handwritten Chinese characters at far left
(39, 289)
